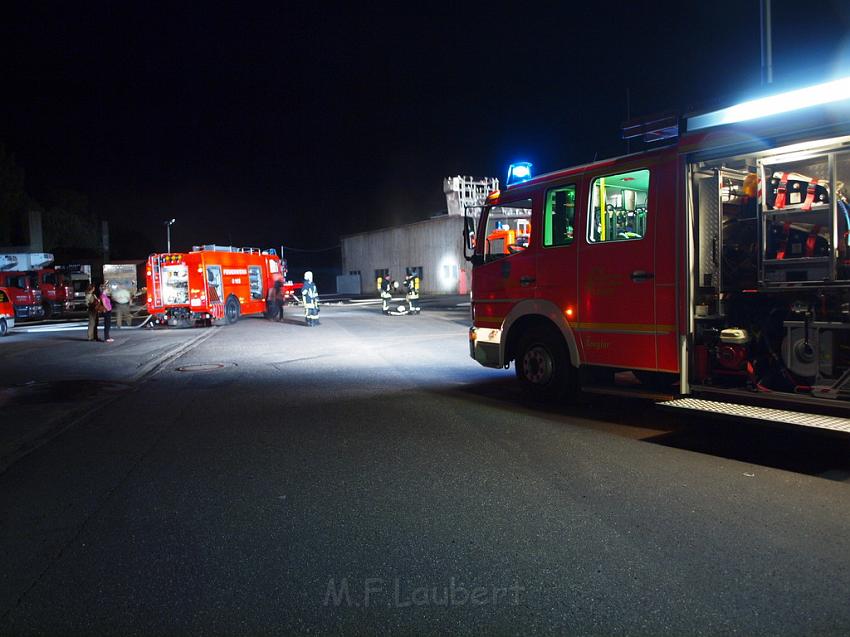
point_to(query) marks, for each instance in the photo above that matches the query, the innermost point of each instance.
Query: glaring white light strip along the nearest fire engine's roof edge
(826, 93)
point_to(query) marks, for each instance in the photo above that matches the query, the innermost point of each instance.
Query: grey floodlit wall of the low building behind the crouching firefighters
(434, 244)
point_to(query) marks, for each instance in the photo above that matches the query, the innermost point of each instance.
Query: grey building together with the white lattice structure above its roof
(432, 248)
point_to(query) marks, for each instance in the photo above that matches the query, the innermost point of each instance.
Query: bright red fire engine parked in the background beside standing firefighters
(210, 283)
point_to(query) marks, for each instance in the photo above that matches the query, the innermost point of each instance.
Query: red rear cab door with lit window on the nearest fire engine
(616, 323)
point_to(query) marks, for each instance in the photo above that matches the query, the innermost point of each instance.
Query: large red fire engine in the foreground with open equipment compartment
(713, 270)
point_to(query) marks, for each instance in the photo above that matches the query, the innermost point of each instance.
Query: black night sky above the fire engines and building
(301, 122)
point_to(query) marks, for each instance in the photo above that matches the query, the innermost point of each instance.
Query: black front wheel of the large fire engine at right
(543, 366)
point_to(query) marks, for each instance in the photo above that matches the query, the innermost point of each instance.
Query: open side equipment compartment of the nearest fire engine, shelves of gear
(772, 268)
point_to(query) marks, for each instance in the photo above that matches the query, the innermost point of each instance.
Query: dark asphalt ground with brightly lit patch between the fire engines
(366, 476)
